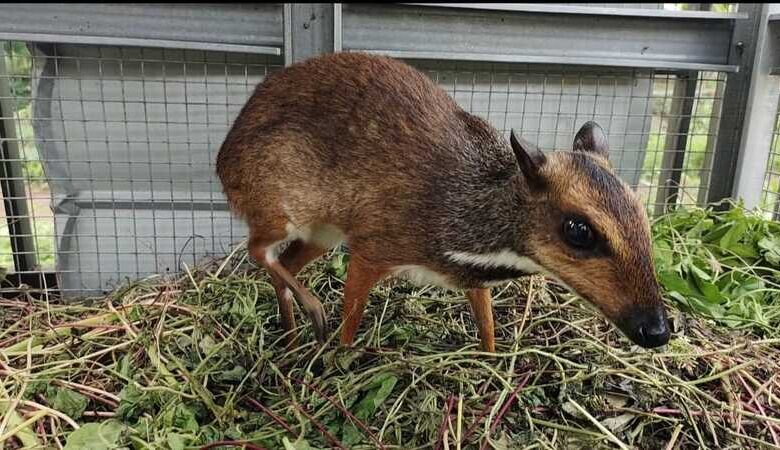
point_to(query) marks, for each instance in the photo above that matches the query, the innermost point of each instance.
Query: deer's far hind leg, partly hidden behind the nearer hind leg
(294, 258)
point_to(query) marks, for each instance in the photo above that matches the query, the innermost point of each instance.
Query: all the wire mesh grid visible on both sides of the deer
(109, 152)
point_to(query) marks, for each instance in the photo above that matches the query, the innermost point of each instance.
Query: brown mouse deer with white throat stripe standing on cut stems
(368, 150)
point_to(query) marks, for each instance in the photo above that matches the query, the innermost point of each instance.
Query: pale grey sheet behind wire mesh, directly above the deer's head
(547, 104)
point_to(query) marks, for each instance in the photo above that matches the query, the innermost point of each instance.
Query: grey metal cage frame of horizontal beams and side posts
(682, 45)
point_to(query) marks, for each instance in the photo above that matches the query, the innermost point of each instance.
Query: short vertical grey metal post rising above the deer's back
(310, 30)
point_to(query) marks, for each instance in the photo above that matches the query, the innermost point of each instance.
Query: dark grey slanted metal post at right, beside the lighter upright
(735, 99)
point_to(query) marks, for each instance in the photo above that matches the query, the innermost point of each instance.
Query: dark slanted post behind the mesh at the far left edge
(12, 181)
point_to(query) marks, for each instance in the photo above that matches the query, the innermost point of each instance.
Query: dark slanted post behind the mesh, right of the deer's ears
(676, 140)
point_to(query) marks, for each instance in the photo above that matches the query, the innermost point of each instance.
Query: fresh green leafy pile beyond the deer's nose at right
(722, 265)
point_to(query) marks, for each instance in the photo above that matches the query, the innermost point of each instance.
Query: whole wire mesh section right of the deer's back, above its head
(661, 126)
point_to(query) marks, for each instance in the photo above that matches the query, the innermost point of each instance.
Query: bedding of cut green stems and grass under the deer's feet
(196, 361)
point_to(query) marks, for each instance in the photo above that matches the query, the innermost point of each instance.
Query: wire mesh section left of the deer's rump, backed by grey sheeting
(117, 153)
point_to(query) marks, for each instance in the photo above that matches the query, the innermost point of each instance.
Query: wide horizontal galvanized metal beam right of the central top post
(538, 37)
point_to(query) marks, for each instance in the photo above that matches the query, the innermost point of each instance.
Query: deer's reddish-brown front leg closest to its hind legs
(361, 277)
